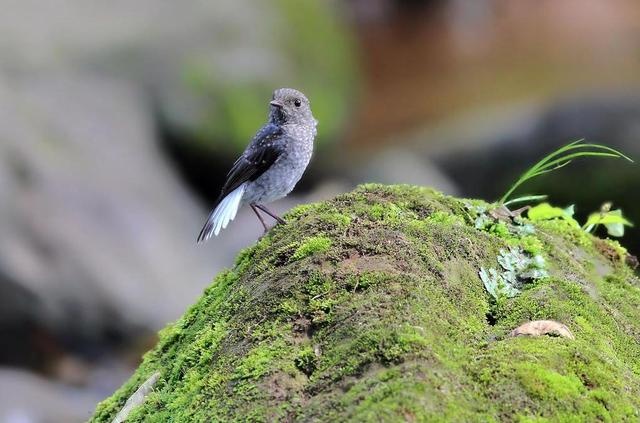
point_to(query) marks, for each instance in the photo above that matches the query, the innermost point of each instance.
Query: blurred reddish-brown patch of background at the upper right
(425, 61)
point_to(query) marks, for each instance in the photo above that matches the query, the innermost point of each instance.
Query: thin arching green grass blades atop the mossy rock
(556, 160)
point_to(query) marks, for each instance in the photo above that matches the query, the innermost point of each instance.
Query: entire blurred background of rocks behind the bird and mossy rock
(120, 119)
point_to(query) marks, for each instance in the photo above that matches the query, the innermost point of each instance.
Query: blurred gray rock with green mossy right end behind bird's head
(209, 66)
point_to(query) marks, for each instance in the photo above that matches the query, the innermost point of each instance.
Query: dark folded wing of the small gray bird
(263, 151)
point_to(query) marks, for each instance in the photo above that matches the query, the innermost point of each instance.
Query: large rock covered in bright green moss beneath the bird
(369, 307)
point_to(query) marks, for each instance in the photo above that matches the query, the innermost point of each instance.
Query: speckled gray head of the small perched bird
(289, 106)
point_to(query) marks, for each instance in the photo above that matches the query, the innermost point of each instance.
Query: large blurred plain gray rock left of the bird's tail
(95, 228)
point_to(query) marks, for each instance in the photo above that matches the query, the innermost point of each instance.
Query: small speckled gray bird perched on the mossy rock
(271, 165)
